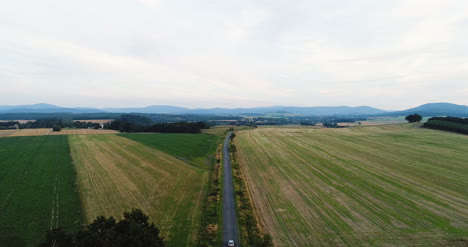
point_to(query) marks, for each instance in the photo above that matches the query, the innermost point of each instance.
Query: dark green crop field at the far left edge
(37, 189)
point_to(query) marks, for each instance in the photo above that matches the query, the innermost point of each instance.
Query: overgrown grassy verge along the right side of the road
(251, 232)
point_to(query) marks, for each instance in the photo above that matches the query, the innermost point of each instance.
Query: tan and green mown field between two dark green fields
(116, 174)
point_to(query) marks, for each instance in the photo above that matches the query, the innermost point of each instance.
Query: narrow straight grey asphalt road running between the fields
(230, 229)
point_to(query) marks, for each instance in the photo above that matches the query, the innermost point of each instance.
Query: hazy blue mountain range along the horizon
(431, 109)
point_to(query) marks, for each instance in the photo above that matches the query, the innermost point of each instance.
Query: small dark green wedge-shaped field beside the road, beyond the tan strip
(192, 148)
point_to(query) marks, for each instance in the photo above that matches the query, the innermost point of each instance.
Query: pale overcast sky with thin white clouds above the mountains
(392, 55)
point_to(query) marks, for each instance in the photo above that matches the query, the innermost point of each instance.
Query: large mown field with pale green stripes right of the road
(389, 185)
